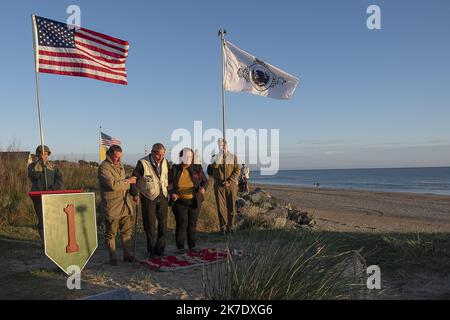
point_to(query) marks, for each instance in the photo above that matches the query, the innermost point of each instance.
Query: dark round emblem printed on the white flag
(260, 76)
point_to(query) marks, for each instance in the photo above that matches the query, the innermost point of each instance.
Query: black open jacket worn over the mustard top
(198, 178)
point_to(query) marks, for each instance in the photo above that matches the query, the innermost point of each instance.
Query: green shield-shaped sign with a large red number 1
(70, 228)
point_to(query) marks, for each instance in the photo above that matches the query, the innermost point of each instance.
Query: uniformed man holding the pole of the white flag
(225, 173)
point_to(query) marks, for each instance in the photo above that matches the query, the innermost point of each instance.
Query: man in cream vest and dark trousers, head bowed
(152, 185)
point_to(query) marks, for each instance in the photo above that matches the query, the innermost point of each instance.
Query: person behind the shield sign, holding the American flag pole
(38, 172)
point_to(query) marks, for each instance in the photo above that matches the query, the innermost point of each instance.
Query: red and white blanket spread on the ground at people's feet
(187, 260)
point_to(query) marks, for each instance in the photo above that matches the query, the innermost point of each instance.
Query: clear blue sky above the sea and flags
(366, 98)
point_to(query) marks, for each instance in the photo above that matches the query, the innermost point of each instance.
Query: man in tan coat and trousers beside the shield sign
(117, 205)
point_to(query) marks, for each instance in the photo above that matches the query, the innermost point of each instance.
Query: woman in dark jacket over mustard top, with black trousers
(188, 185)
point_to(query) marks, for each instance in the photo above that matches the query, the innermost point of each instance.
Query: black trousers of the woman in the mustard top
(186, 216)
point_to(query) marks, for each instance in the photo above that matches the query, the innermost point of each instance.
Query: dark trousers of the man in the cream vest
(152, 211)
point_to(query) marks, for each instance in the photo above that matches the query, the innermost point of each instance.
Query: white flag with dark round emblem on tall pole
(245, 73)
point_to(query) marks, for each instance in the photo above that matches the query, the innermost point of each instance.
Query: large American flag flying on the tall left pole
(67, 50)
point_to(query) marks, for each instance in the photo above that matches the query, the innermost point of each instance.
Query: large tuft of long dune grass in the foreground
(286, 265)
